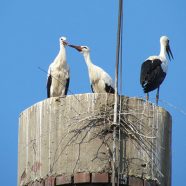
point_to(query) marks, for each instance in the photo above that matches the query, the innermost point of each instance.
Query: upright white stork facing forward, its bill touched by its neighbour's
(58, 73)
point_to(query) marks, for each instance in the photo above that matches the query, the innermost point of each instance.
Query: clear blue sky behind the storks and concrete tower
(29, 34)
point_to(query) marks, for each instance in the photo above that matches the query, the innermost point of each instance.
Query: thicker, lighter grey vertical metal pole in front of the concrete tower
(116, 94)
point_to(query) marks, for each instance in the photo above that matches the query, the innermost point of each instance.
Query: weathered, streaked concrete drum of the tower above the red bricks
(74, 134)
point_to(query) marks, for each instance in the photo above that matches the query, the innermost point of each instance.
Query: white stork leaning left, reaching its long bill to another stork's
(100, 81)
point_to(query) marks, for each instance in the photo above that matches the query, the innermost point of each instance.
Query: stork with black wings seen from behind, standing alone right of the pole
(154, 69)
